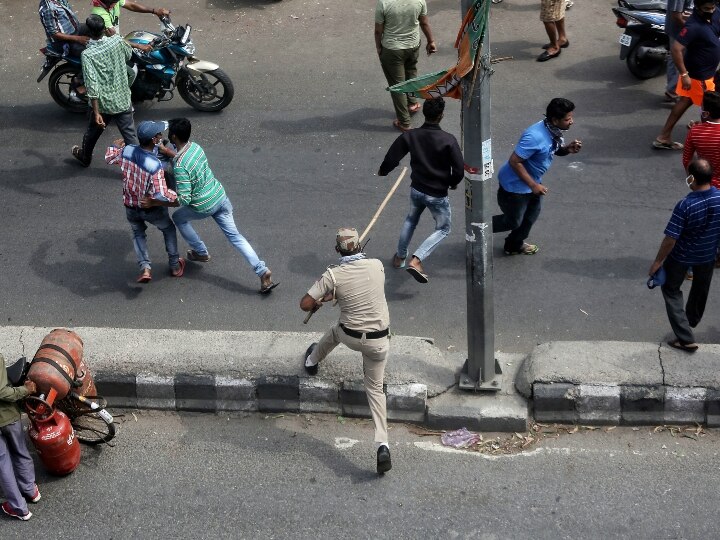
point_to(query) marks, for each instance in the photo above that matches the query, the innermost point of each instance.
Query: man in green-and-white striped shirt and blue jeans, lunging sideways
(201, 196)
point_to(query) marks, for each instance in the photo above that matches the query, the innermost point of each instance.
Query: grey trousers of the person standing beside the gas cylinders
(17, 471)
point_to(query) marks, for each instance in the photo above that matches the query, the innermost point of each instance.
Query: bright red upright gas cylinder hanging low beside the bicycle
(53, 437)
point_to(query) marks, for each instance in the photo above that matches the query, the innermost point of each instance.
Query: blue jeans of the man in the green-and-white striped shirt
(222, 214)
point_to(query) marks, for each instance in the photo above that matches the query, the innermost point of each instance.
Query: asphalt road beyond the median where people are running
(297, 151)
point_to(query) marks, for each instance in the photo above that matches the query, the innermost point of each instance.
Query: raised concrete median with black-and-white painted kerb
(566, 382)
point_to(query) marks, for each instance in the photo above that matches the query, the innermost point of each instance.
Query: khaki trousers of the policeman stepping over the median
(374, 353)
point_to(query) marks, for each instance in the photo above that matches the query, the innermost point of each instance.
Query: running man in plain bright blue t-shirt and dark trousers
(521, 187)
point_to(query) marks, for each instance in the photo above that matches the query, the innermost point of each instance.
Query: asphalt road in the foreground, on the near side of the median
(312, 476)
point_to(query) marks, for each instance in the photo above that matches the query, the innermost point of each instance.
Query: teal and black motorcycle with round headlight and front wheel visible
(170, 65)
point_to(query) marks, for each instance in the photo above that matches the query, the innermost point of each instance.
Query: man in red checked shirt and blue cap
(143, 176)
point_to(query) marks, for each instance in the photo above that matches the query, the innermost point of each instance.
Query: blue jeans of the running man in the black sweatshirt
(439, 208)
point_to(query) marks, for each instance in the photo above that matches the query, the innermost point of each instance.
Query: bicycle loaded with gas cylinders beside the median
(88, 417)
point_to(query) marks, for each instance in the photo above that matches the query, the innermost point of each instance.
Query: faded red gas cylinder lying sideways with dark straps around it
(58, 364)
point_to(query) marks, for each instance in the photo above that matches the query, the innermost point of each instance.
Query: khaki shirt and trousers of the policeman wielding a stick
(359, 288)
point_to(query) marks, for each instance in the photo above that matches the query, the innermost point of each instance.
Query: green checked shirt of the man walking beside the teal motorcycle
(107, 78)
